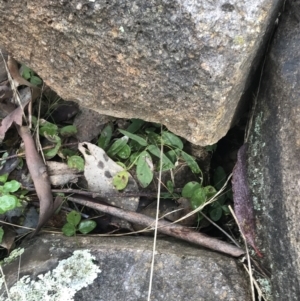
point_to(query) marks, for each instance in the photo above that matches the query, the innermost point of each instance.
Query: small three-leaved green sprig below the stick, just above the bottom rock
(75, 224)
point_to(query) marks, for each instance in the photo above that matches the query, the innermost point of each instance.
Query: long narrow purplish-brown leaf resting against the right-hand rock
(243, 206)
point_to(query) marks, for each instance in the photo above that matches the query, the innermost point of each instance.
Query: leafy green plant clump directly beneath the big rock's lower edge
(139, 147)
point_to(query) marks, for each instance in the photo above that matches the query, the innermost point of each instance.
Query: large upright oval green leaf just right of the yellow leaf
(144, 169)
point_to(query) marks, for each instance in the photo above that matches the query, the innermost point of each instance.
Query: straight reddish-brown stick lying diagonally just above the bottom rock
(165, 227)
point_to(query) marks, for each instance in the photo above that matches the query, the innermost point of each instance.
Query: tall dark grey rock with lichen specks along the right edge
(273, 164)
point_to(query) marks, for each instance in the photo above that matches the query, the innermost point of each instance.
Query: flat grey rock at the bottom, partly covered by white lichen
(182, 272)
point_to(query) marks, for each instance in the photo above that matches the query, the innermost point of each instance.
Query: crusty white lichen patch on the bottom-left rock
(70, 276)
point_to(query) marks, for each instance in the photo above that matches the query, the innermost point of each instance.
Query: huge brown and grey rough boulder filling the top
(181, 63)
